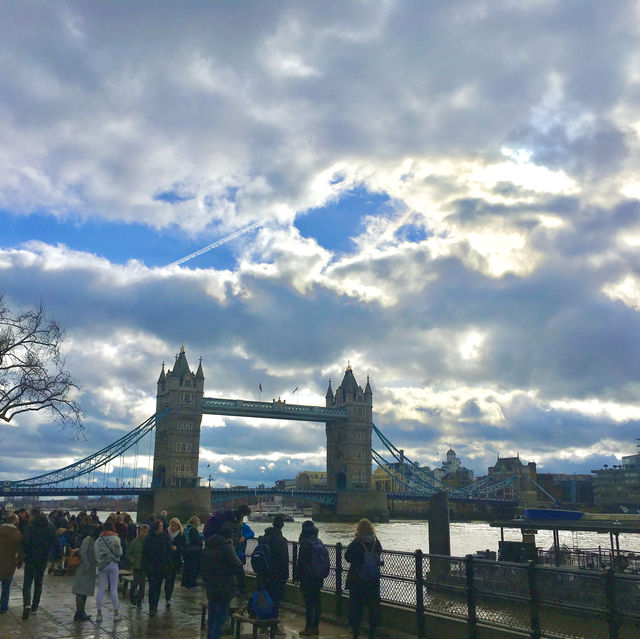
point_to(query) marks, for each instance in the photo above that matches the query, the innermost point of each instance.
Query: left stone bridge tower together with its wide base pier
(175, 480)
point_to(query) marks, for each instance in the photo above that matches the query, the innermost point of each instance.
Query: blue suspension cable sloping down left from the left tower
(94, 461)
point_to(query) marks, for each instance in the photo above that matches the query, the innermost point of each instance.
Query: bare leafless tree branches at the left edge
(32, 374)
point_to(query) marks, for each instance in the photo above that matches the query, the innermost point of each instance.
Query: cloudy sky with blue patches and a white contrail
(444, 194)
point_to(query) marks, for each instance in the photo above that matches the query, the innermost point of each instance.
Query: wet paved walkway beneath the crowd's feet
(54, 618)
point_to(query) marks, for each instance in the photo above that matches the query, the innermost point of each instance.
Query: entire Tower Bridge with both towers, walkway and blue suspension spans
(174, 482)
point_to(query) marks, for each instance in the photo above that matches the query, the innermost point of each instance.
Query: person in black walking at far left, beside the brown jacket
(38, 537)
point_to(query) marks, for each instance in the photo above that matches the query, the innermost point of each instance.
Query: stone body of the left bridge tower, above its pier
(177, 444)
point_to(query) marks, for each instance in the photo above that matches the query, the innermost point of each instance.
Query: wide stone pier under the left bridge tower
(178, 502)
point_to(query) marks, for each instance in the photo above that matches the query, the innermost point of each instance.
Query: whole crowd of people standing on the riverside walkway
(160, 549)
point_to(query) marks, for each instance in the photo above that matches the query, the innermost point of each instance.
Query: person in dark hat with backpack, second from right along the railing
(312, 568)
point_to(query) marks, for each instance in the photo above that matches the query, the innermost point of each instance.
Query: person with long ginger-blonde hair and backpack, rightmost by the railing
(363, 578)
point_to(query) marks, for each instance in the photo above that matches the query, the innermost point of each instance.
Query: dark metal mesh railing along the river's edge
(541, 601)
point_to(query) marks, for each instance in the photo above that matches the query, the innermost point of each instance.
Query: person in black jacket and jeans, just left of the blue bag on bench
(222, 571)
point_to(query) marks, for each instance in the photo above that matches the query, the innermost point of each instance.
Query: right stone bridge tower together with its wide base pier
(349, 455)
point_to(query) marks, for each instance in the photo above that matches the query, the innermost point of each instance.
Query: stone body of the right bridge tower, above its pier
(349, 442)
